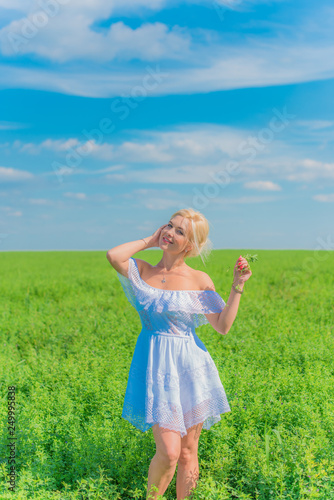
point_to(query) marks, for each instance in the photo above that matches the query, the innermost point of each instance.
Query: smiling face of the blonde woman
(176, 233)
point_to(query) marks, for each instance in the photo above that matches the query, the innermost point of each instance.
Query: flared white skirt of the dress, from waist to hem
(173, 382)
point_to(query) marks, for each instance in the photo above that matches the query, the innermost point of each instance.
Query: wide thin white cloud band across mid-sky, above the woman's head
(193, 154)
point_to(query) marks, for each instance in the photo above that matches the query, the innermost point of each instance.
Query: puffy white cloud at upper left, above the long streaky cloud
(69, 36)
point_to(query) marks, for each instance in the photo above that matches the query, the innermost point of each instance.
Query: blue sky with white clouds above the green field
(116, 114)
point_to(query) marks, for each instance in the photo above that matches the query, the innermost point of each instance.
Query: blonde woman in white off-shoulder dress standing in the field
(174, 385)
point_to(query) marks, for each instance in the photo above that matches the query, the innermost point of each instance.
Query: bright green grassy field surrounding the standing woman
(67, 338)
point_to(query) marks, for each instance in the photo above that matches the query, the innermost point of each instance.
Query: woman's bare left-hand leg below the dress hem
(163, 464)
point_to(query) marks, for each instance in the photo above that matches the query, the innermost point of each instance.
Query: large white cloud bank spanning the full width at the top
(210, 62)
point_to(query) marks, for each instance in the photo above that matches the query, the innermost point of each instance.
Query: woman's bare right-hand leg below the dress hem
(187, 469)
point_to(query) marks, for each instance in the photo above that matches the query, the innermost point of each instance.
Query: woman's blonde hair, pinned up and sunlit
(198, 231)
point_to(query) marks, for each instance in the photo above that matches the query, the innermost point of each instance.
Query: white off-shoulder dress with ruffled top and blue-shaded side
(173, 381)
